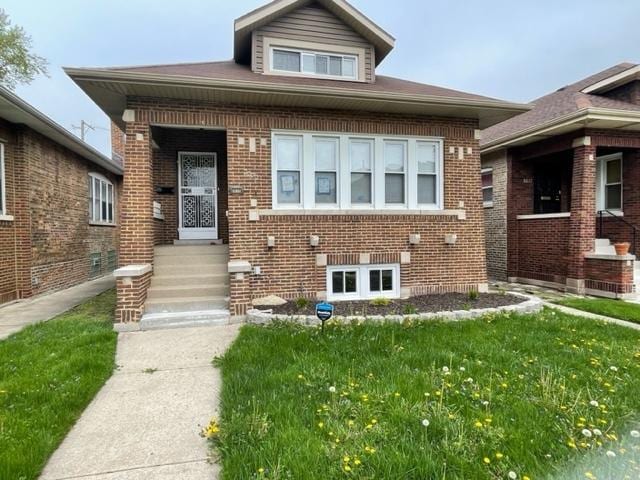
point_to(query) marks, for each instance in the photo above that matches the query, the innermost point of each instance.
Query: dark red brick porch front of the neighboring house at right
(553, 249)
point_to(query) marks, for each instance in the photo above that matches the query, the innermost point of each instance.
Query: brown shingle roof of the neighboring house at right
(565, 101)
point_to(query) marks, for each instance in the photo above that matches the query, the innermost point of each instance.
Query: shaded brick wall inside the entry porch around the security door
(165, 174)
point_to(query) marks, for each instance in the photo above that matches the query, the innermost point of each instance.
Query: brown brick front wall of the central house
(292, 263)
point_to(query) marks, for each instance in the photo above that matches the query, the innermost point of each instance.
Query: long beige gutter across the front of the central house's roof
(262, 87)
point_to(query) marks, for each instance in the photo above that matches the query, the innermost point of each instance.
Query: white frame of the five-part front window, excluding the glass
(379, 172)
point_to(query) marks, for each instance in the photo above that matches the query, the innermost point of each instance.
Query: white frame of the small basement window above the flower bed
(363, 287)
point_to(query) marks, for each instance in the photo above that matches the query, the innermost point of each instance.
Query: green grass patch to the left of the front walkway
(49, 373)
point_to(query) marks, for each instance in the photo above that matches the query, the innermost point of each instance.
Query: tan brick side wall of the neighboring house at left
(47, 246)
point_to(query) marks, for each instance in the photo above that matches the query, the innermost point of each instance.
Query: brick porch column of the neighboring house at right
(582, 224)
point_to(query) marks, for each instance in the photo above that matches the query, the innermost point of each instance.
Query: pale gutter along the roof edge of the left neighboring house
(81, 148)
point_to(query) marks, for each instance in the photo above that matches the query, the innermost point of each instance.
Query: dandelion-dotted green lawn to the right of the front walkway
(503, 394)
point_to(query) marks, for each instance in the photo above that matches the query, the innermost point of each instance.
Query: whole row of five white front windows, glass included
(366, 169)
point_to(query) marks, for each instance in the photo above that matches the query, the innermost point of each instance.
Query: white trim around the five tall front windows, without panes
(307, 174)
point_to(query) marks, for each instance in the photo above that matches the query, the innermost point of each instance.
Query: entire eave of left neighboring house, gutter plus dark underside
(16, 110)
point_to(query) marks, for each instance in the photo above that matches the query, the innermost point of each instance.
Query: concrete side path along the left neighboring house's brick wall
(17, 315)
